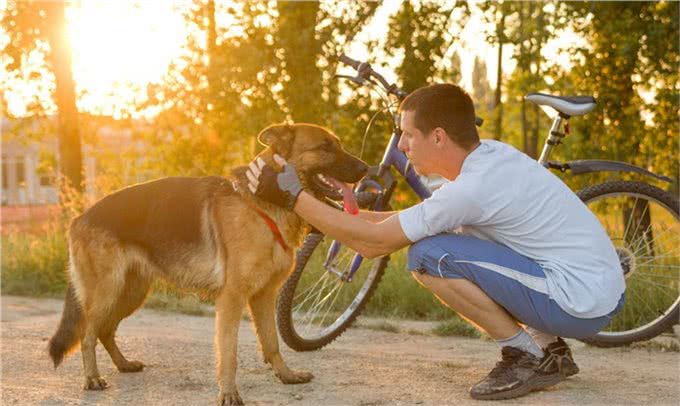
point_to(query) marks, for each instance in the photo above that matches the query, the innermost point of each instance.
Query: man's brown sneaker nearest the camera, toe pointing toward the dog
(517, 374)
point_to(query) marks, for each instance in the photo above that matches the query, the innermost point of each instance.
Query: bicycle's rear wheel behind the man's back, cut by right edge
(670, 315)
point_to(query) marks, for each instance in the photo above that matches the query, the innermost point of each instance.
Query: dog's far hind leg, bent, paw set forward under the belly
(130, 299)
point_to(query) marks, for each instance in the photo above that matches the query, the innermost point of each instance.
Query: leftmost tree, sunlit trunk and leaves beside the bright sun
(38, 25)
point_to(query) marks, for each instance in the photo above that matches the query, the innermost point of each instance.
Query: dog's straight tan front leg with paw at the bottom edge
(228, 309)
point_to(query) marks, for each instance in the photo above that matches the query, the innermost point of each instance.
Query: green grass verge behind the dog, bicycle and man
(33, 264)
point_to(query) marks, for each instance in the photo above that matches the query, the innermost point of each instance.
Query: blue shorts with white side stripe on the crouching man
(506, 277)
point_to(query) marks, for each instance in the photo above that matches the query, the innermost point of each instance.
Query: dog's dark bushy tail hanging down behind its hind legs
(69, 332)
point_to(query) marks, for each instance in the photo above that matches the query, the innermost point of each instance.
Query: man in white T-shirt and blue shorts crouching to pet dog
(504, 243)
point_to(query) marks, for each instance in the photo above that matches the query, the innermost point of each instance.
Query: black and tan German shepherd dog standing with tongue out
(206, 233)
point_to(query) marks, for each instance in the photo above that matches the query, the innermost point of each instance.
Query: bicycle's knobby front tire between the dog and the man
(286, 301)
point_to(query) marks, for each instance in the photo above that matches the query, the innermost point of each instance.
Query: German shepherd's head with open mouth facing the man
(316, 154)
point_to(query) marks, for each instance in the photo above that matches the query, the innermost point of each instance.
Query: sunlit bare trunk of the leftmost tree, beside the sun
(71, 162)
